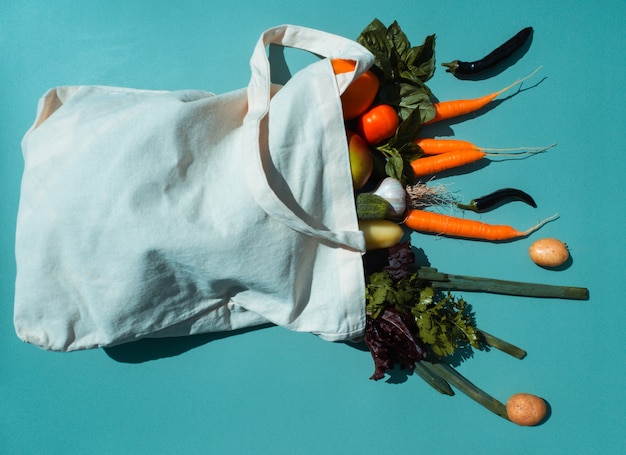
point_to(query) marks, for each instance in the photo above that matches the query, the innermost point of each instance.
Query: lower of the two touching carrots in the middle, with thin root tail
(433, 164)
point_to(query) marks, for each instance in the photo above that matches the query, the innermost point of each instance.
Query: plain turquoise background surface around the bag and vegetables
(274, 391)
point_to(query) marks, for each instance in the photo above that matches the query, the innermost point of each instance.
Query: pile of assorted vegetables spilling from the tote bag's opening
(413, 319)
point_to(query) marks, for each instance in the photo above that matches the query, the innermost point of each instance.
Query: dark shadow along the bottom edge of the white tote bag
(148, 349)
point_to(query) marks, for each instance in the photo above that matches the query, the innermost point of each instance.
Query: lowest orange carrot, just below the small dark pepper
(451, 226)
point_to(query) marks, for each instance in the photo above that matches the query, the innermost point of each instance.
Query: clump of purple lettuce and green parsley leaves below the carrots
(408, 321)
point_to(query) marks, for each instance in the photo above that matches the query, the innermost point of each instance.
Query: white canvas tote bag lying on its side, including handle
(156, 213)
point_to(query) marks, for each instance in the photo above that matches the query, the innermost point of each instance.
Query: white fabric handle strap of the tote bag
(317, 42)
